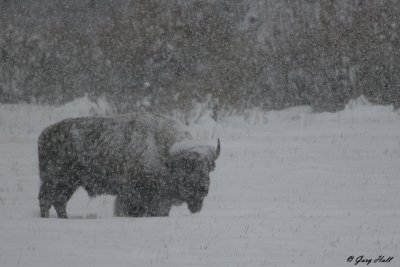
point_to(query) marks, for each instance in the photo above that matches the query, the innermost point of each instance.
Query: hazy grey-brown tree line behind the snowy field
(168, 54)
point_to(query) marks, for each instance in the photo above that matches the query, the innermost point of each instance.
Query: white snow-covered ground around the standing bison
(291, 188)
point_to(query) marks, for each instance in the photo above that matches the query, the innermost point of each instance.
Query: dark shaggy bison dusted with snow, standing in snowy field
(148, 161)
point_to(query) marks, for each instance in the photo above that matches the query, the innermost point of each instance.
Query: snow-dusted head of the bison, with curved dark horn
(190, 165)
